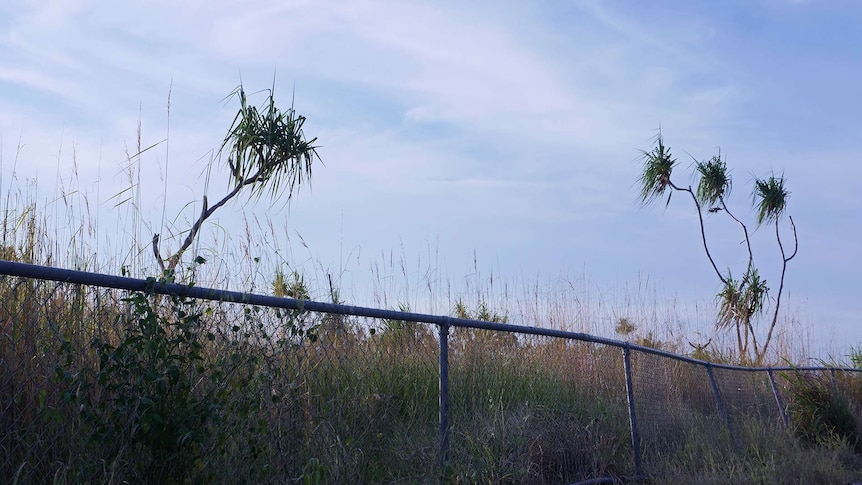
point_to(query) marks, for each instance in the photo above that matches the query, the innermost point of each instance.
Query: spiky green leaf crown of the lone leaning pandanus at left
(267, 149)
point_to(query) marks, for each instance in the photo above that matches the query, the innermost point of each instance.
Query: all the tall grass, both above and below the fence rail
(220, 392)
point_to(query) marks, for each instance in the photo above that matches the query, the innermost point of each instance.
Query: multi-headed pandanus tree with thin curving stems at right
(740, 301)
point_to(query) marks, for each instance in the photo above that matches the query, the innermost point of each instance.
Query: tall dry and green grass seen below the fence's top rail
(316, 399)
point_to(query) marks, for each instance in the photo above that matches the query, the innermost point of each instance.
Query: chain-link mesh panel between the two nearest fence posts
(530, 409)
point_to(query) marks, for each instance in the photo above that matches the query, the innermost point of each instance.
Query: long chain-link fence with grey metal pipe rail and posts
(106, 378)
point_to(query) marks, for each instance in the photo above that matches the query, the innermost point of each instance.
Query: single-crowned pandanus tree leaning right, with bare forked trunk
(266, 152)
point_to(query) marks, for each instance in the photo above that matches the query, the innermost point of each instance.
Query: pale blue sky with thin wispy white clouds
(468, 140)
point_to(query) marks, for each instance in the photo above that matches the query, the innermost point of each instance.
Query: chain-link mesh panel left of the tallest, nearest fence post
(93, 388)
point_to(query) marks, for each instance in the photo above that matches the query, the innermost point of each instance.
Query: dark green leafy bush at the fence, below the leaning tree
(150, 397)
